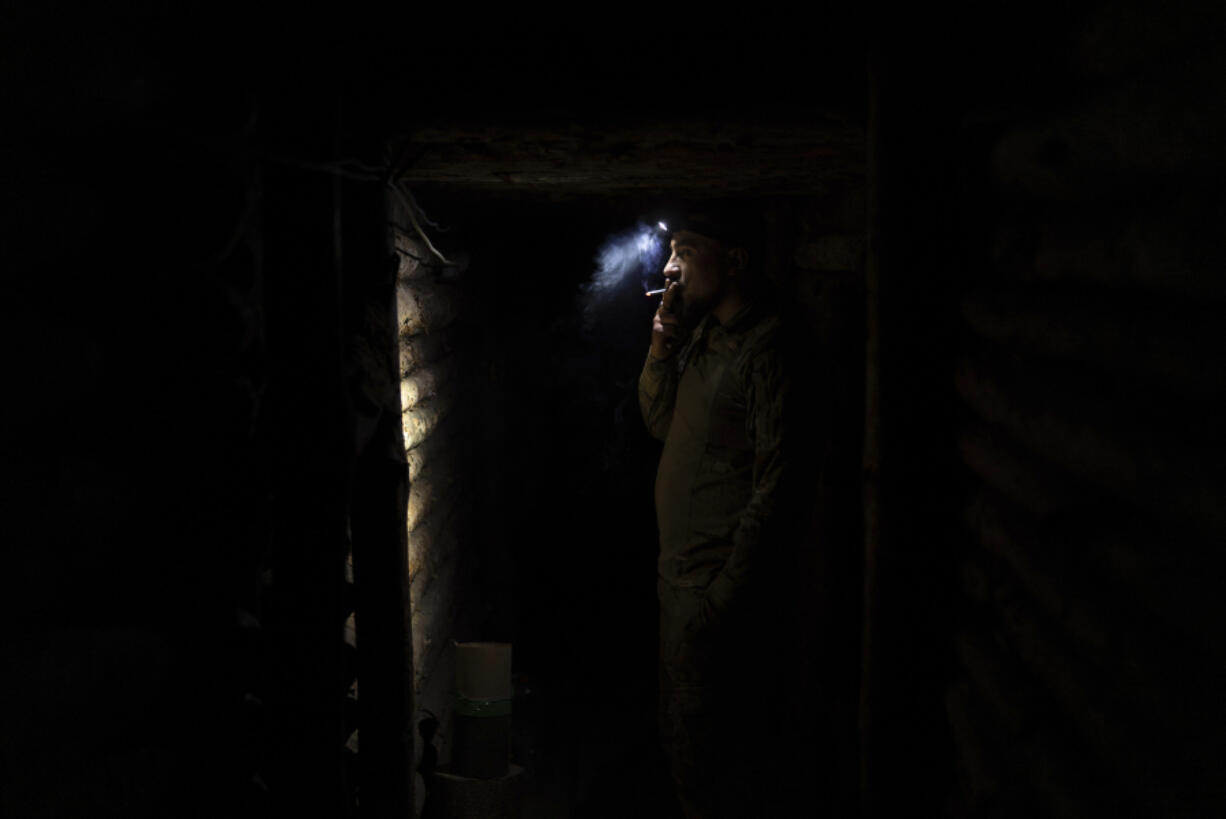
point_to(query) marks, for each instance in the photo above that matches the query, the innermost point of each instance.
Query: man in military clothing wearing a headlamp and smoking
(713, 389)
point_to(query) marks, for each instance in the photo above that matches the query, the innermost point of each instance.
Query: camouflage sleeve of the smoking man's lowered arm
(767, 392)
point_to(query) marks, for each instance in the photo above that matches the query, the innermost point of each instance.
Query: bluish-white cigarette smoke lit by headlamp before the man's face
(625, 267)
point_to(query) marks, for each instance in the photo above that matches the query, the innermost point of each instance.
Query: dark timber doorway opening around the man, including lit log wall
(531, 509)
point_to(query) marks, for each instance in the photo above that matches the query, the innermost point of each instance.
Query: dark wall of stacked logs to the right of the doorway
(1088, 372)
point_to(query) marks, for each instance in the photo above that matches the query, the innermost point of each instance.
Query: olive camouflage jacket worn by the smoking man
(719, 408)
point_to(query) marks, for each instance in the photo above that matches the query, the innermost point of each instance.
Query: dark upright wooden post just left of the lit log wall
(378, 511)
